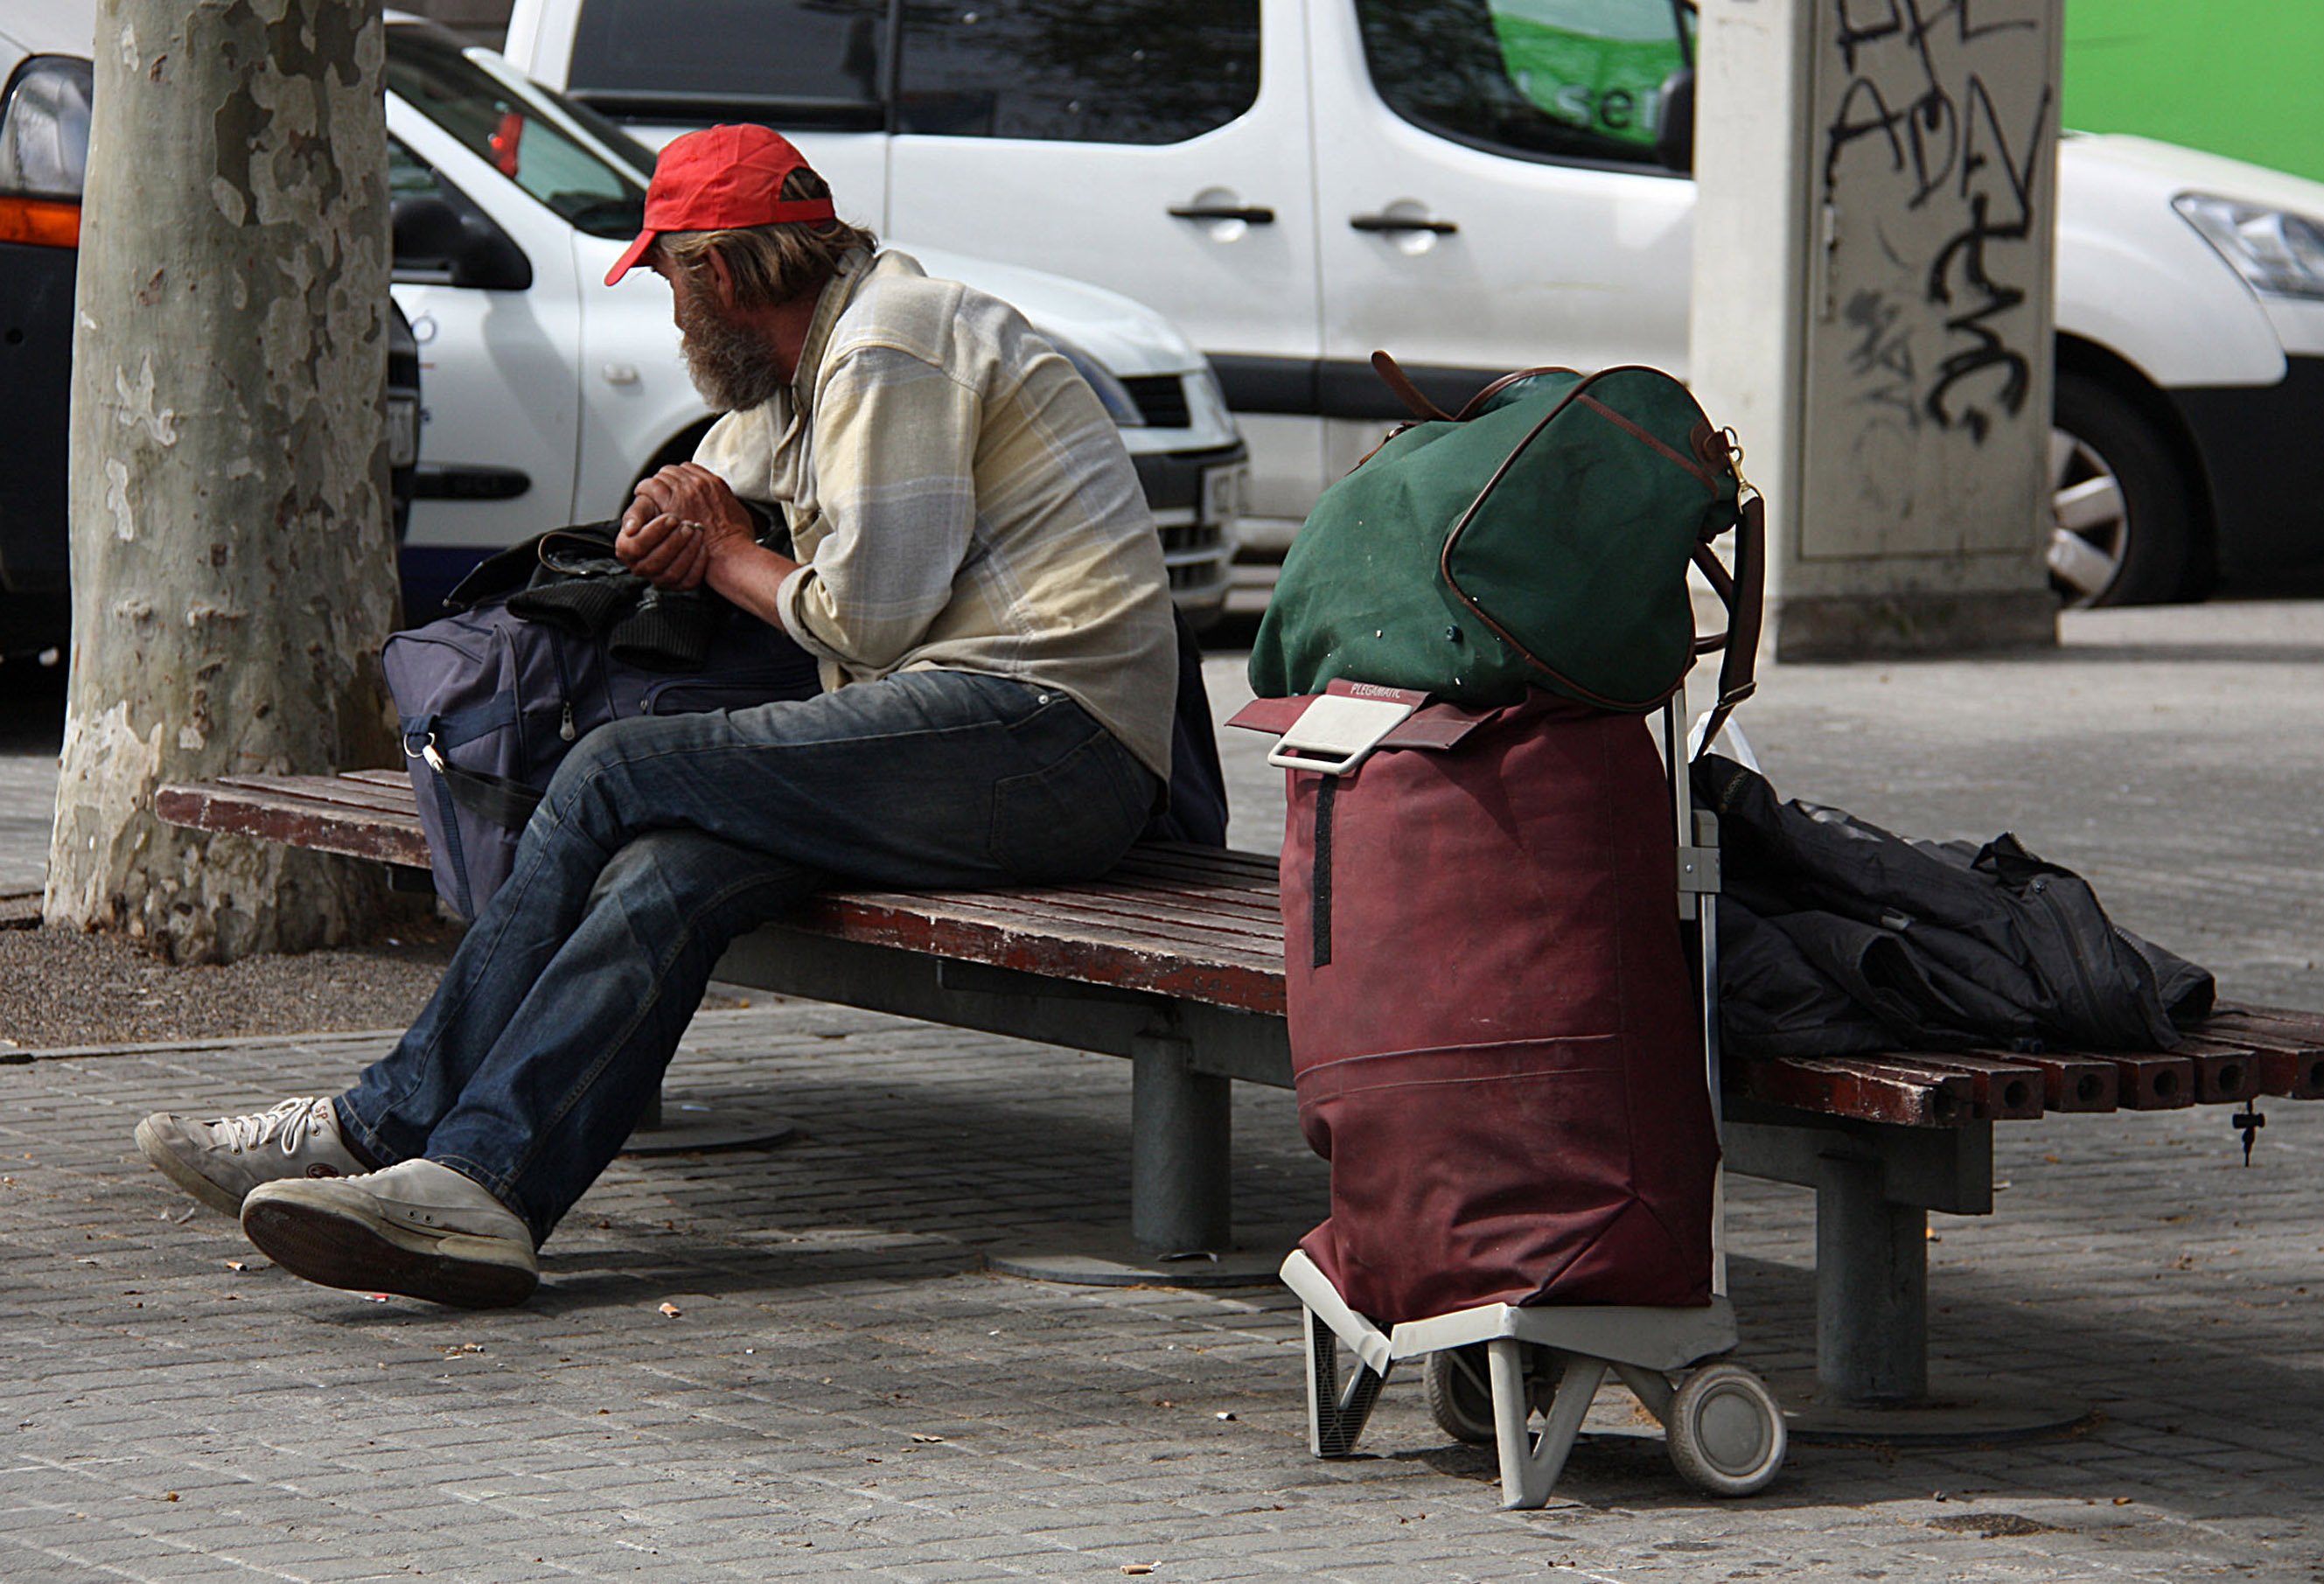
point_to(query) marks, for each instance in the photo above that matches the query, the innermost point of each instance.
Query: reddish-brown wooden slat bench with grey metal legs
(1175, 960)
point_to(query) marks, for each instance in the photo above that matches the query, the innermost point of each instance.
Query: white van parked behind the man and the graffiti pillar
(1472, 185)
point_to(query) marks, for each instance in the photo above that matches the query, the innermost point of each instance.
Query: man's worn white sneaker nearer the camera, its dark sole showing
(419, 1230)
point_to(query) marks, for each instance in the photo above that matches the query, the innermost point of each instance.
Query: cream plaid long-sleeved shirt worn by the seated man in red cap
(959, 501)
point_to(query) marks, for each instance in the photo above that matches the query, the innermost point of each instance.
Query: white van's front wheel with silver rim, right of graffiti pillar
(2125, 526)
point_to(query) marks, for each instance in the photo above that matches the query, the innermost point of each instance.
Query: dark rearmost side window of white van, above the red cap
(801, 64)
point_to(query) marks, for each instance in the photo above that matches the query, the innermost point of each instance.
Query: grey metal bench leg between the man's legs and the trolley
(1182, 1155)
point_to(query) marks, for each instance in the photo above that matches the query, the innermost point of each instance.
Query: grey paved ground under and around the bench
(847, 1392)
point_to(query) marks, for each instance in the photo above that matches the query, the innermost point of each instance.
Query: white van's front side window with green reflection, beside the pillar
(1547, 80)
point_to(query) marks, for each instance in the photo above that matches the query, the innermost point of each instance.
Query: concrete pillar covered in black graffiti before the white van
(1874, 308)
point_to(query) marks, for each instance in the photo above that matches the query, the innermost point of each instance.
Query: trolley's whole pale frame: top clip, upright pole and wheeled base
(1495, 1367)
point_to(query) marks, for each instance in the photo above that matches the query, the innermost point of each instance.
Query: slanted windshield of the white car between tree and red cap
(515, 134)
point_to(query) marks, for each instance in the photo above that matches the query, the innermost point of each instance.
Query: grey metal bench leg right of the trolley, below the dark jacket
(1872, 1290)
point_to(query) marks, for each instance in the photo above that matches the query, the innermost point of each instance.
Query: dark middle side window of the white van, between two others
(1079, 71)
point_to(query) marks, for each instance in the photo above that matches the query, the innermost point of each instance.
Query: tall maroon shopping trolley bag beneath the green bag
(1495, 1039)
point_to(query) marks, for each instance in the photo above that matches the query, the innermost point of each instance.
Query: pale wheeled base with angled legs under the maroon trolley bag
(1721, 1423)
